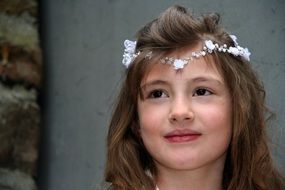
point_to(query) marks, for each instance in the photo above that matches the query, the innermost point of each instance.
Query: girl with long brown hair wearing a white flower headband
(191, 112)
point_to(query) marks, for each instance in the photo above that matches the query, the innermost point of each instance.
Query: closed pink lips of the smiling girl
(179, 136)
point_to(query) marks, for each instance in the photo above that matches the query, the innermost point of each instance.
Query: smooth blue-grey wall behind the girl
(83, 45)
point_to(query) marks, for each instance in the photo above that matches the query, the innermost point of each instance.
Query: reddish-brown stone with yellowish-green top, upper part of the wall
(20, 55)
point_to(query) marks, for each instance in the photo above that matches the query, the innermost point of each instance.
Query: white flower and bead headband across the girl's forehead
(209, 47)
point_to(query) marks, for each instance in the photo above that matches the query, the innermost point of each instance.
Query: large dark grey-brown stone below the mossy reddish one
(19, 129)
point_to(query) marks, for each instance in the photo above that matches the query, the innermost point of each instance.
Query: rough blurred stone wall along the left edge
(20, 81)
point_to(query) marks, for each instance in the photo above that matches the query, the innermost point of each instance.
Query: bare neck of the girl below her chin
(209, 178)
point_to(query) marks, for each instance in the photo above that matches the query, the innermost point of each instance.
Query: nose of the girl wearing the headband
(181, 111)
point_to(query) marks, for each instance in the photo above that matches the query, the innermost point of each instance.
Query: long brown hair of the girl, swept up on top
(248, 163)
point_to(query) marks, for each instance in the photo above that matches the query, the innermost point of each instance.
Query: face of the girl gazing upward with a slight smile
(185, 116)
